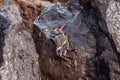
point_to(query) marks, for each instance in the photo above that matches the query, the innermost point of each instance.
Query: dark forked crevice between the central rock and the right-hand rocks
(102, 68)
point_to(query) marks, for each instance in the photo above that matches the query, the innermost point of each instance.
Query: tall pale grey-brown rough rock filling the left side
(17, 51)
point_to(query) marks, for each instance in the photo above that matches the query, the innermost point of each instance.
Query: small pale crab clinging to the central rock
(61, 41)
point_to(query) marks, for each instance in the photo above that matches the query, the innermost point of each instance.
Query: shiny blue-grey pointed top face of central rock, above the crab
(49, 20)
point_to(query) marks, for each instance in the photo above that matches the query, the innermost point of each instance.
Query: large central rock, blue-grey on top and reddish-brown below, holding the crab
(79, 37)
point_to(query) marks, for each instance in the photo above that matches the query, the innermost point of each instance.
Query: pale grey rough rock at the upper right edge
(113, 21)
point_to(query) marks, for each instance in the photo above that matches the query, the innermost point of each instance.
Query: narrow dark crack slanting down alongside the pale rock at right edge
(98, 18)
